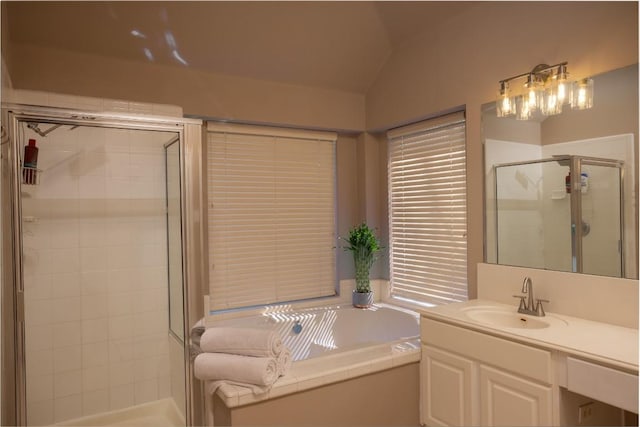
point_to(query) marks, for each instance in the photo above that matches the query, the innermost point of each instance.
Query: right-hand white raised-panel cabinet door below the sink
(509, 400)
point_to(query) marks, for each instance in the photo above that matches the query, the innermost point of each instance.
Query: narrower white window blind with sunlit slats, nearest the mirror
(427, 210)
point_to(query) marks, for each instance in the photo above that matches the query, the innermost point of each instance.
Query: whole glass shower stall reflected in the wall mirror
(563, 213)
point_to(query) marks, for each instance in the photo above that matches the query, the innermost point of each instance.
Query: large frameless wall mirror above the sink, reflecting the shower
(561, 191)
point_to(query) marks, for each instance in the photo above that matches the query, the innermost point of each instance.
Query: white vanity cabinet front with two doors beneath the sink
(472, 378)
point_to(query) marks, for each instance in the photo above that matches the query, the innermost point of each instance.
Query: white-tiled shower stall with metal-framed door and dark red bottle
(95, 268)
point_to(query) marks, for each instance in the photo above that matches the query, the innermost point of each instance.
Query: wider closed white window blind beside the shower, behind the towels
(271, 201)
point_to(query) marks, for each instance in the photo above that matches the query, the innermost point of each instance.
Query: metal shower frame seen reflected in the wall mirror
(575, 169)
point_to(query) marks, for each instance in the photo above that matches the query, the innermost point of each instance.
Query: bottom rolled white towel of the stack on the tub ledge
(261, 371)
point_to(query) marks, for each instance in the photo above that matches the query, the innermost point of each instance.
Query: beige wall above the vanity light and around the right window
(483, 45)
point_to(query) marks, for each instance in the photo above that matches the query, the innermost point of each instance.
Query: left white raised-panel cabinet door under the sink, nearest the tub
(446, 387)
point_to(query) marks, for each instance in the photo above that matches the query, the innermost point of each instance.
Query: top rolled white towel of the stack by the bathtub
(244, 341)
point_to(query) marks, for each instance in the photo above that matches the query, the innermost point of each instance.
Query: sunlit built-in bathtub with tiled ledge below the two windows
(329, 345)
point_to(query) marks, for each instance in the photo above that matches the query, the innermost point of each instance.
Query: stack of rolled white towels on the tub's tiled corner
(254, 358)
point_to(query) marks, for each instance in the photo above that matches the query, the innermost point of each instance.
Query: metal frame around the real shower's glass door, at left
(14, 114)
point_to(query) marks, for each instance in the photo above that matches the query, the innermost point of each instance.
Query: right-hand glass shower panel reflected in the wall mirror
(602, 243)
